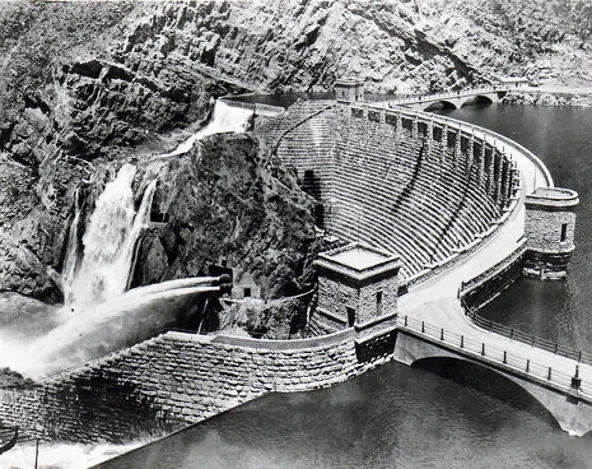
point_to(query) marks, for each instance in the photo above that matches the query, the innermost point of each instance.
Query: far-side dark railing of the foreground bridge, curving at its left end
(526, 338)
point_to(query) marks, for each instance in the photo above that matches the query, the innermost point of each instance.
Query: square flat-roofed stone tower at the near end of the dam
(357, 285)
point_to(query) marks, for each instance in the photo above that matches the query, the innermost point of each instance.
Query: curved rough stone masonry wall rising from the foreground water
(172, 380)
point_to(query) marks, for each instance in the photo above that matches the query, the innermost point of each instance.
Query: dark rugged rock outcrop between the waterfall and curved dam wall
(226, 200)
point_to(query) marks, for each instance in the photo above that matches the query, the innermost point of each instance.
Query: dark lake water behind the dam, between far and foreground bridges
(562, 137)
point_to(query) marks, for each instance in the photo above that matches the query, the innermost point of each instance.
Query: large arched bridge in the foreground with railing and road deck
(559, 383)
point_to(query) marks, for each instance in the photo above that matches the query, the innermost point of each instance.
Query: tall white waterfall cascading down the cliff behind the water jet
(109, 241)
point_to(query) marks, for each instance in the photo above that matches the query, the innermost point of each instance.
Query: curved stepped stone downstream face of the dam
(419, 187)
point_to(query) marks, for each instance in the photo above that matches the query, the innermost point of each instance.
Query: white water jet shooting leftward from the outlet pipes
(109, 326)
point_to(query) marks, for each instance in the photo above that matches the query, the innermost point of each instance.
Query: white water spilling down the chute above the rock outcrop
(225, 119)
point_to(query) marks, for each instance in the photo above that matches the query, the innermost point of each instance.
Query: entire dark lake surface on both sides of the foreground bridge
(443, 415)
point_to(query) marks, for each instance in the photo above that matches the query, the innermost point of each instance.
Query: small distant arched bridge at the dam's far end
(454, 99)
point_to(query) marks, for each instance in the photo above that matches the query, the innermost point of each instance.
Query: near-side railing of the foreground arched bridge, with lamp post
(494, 355)
